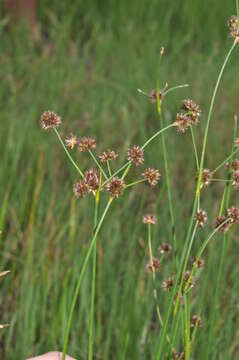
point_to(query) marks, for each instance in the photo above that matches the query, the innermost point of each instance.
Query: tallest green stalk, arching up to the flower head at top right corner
(162, 339)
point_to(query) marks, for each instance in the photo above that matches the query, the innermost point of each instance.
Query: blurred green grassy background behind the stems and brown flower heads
(91, 58)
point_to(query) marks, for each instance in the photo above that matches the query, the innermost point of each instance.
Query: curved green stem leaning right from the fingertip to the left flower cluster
(82, 272)
